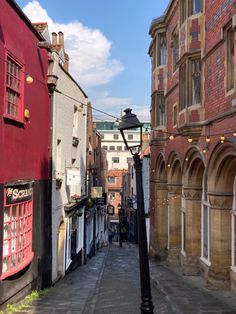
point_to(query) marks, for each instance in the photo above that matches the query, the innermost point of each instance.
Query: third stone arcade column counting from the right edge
(174, 196)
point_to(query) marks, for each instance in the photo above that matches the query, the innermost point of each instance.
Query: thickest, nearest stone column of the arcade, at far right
(220, 252)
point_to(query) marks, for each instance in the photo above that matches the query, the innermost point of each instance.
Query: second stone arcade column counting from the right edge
(190, 262)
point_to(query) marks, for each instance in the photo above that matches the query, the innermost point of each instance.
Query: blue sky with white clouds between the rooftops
(107, 42)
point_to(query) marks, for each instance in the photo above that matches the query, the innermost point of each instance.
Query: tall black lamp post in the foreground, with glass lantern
(130, 122)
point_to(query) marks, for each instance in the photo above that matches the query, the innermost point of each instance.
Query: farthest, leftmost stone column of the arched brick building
(161, 220)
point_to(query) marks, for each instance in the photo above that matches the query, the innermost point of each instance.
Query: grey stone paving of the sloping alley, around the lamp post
(109, 284)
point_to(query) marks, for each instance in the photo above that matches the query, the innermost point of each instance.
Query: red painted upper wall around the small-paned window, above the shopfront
(24, 149)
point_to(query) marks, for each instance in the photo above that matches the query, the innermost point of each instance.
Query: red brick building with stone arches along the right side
(193, 140)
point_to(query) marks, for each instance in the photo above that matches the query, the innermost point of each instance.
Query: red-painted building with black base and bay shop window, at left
(25, 249)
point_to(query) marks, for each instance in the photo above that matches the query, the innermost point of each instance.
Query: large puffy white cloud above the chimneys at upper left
(89, 50)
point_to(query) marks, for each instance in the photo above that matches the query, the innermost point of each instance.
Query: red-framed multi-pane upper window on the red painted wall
(19, 92)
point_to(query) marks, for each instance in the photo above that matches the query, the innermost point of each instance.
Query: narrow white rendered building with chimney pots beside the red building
(68, 164)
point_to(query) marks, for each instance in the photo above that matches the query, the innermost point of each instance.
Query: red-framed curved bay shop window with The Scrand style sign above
(17, 229)
